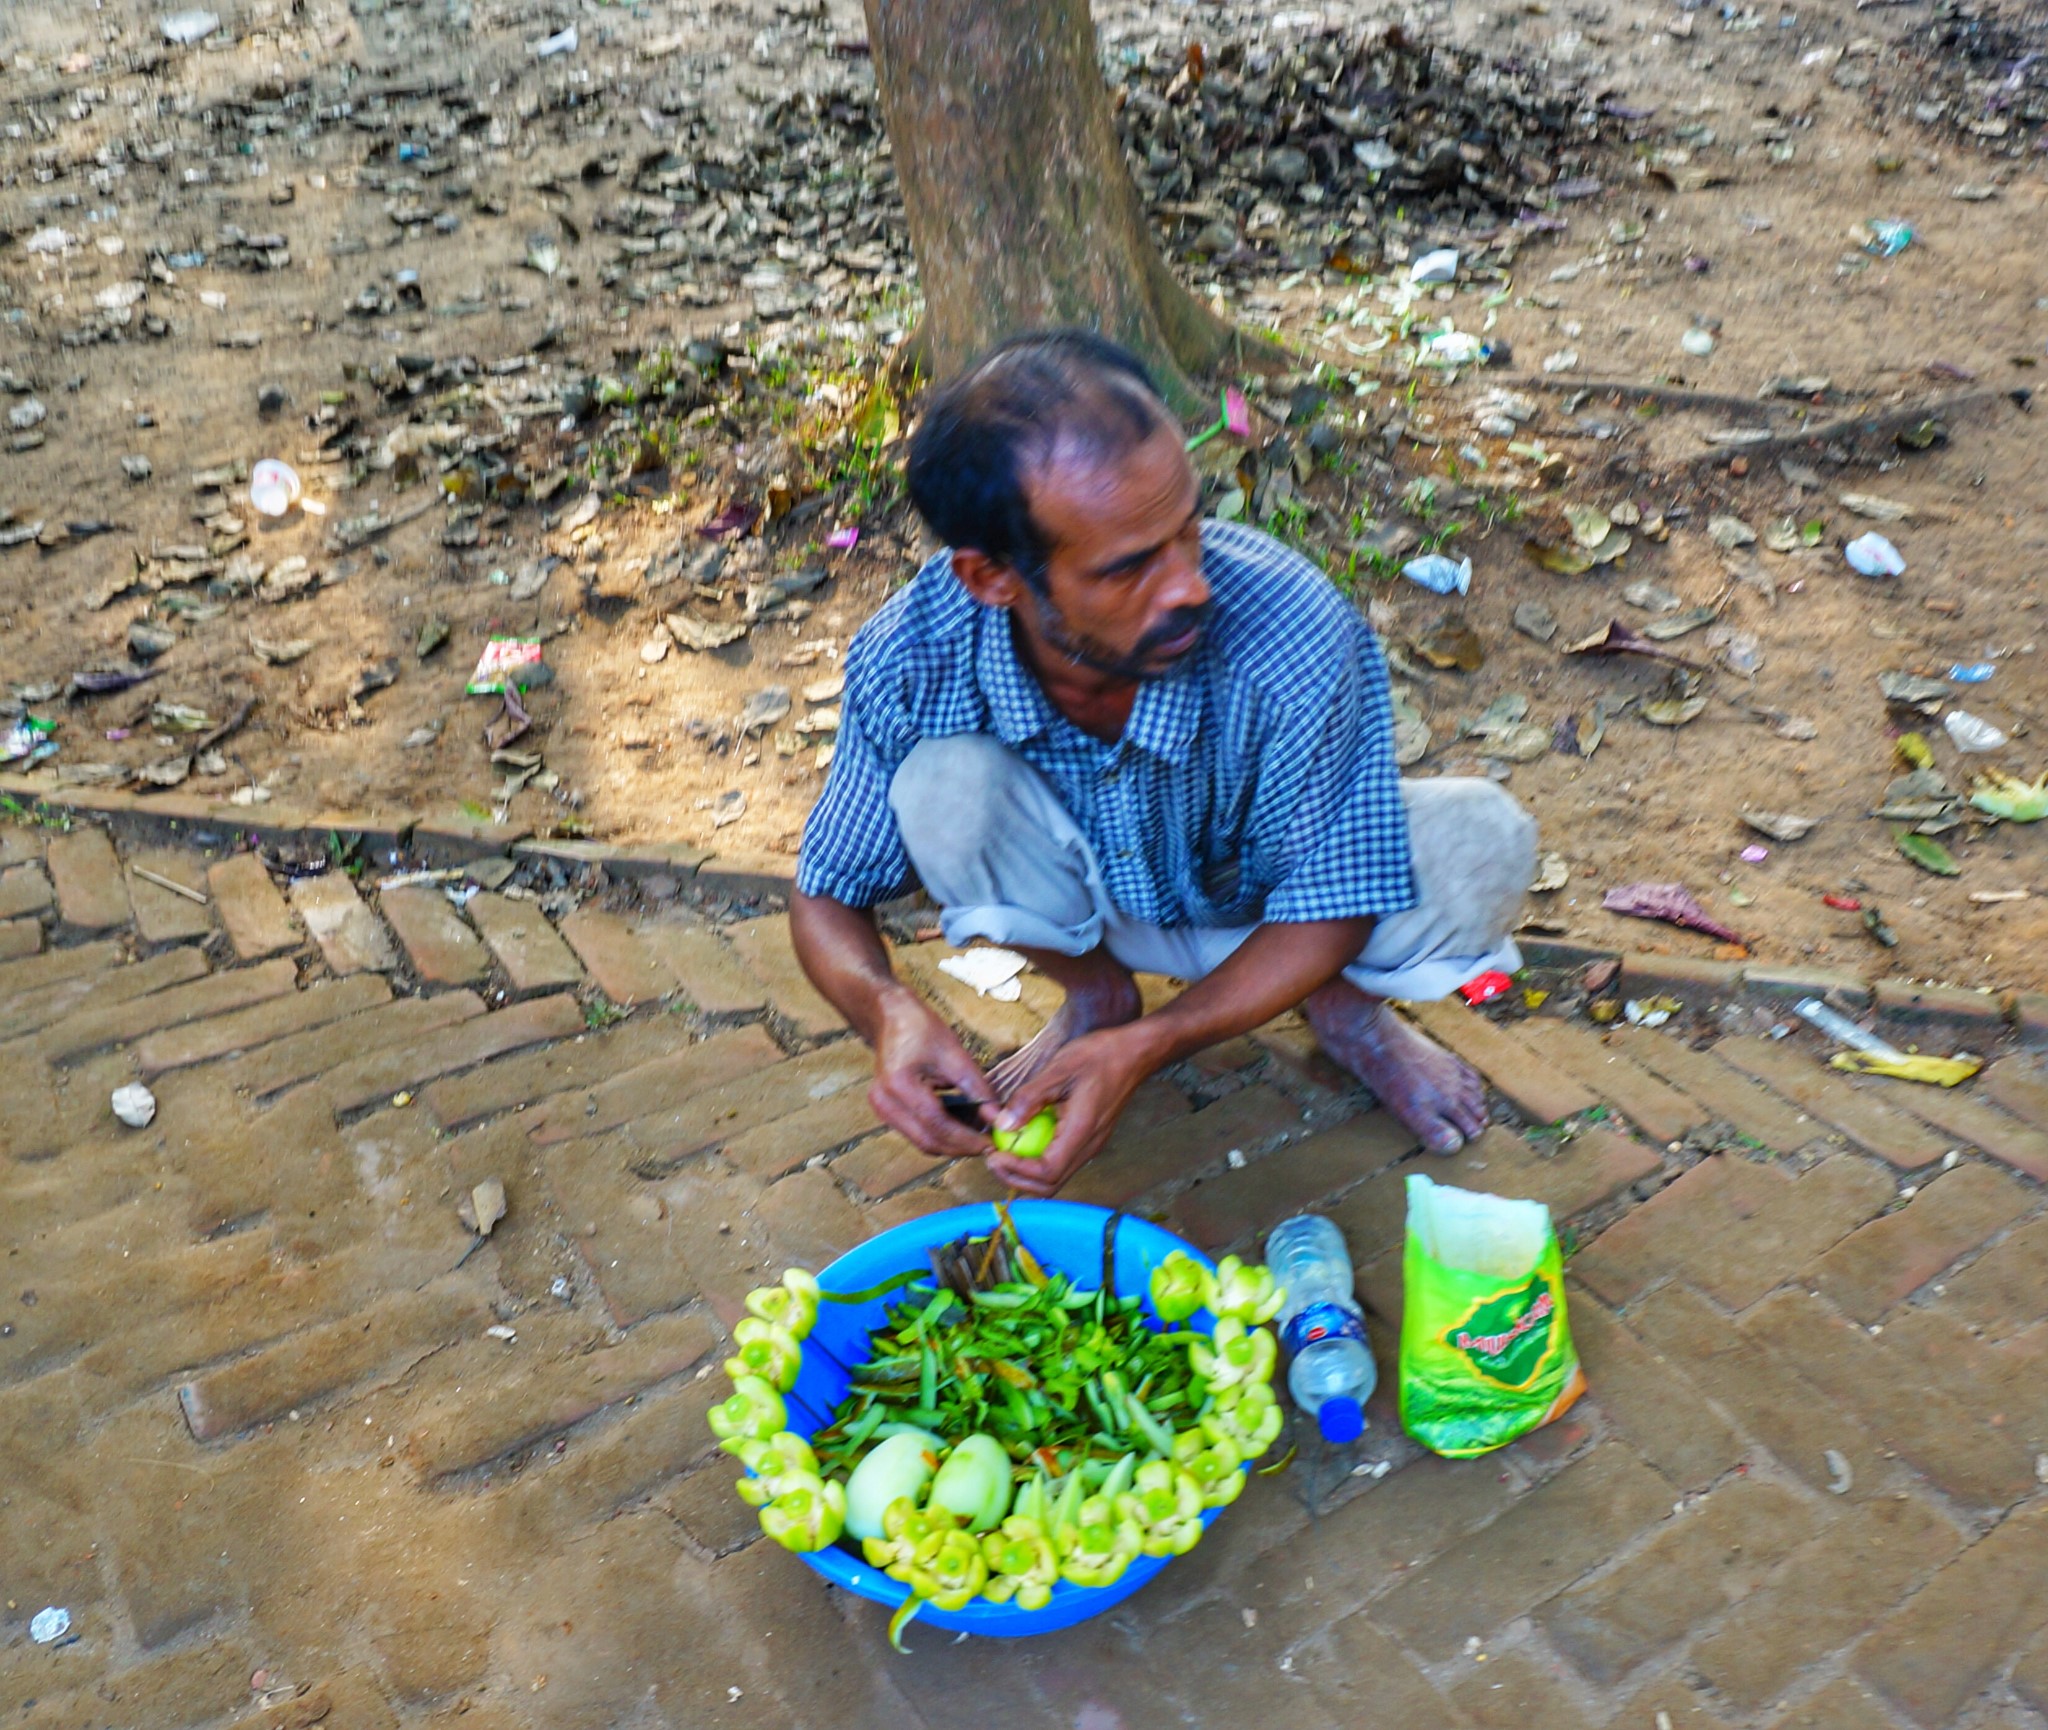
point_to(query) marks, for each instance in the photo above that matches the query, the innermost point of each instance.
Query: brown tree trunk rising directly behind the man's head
(1021, 206)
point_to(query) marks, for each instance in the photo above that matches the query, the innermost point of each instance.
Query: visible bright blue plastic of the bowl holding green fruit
(1066, 1238)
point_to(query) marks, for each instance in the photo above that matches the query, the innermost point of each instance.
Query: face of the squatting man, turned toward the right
(1125, 591)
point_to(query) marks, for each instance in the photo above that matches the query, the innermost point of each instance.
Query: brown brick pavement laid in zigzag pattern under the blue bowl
(292, 1455)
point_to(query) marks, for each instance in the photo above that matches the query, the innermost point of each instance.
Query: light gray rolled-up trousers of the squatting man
(1007, 863)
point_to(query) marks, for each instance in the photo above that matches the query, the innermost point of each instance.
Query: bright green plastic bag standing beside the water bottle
(1486, 1350)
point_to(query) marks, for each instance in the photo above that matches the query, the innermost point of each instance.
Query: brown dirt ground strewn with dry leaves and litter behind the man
(318, 153)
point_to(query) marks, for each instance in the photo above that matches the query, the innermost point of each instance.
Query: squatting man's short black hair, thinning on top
(1005, 417)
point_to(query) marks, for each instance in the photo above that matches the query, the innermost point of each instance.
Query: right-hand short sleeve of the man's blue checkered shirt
(1347, 845)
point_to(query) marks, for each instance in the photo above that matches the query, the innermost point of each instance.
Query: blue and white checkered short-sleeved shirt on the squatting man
(1254, 783)
